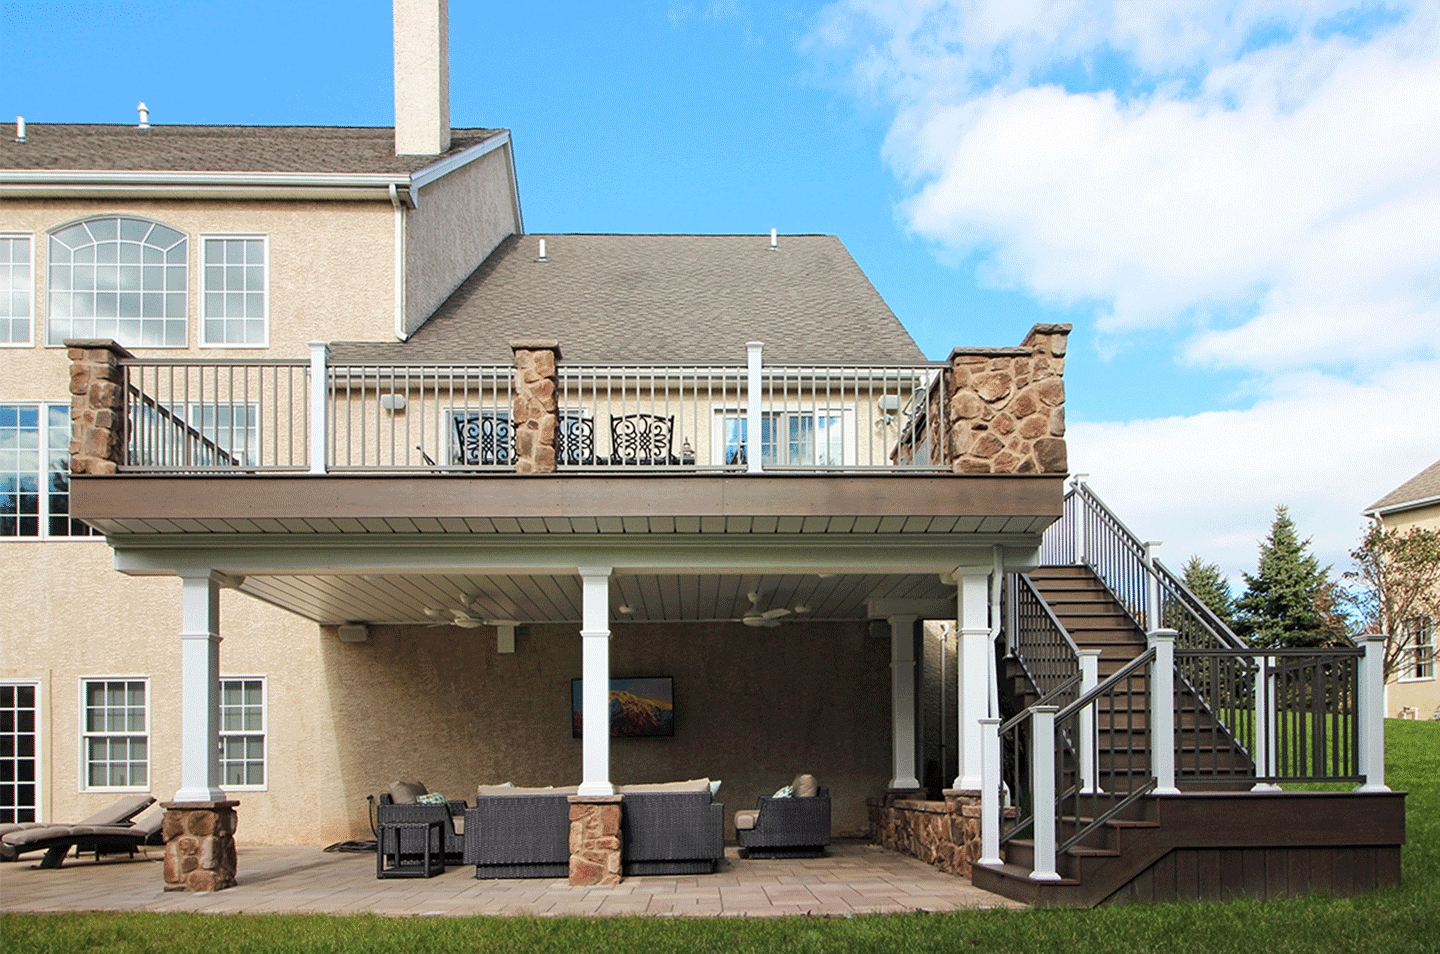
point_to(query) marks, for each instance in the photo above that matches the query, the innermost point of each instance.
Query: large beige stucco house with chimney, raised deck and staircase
(382, 475)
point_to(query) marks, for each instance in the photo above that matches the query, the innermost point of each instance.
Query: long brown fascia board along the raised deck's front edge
(282, 496)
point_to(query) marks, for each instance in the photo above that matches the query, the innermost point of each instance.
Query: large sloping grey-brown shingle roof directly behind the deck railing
(660, 299)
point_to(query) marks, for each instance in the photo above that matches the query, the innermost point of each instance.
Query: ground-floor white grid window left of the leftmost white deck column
(117, 734)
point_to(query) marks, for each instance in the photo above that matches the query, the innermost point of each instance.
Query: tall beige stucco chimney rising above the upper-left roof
(421, 77)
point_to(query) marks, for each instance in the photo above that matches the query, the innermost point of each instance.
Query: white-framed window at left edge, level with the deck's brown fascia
(35, 472)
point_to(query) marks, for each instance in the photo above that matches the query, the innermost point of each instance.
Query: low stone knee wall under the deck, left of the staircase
(941, 834)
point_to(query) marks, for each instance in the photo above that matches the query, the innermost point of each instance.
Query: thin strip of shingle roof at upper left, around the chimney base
(261, 149)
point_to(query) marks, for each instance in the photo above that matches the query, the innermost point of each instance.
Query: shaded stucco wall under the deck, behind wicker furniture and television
(754, 708)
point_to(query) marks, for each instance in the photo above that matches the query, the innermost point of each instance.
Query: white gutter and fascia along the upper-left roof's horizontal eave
(199, 185)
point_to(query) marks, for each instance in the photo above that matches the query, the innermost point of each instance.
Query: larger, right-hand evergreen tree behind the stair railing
(1291, 600)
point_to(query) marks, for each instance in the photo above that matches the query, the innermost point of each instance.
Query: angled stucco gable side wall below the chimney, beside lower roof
(457, 223)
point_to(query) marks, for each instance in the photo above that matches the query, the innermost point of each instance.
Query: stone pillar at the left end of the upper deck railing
(97, 406)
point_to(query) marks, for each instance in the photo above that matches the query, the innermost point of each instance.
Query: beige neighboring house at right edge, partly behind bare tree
(1413, 690)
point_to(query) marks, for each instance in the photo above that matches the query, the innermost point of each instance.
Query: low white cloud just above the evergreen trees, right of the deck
(1209, 483)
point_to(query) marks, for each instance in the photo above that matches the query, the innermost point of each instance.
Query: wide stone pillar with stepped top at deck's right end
(1007, 407)
